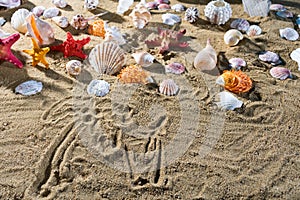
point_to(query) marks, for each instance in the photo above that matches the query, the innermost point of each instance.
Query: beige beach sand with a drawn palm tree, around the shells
(136, 143)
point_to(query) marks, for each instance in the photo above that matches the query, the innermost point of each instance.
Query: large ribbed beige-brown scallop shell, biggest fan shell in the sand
(107, 58)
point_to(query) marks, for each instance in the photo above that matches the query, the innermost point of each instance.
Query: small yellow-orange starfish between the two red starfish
(38, 54)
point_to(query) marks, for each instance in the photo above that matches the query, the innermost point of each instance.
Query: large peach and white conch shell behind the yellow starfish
(40, 30)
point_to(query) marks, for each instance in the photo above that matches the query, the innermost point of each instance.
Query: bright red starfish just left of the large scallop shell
(72, 47)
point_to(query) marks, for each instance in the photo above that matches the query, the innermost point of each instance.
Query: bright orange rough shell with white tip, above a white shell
(235, 81)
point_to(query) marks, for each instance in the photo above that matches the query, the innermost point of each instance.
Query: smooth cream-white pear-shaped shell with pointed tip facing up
(206, 59)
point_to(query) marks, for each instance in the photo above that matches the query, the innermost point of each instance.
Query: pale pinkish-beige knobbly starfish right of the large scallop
(167, 39)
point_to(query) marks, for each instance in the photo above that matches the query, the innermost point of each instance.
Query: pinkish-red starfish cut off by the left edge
(5, 51)
